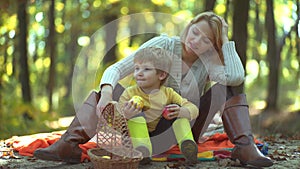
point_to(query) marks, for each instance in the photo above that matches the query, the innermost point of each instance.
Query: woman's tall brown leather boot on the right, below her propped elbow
(237, 126)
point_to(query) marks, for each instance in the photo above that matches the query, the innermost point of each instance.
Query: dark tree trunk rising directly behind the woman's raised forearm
(240, 34)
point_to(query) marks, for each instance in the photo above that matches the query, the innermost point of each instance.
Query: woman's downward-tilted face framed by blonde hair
(199, 38)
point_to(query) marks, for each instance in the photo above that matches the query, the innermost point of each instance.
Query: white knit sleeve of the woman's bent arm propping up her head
(232, 74)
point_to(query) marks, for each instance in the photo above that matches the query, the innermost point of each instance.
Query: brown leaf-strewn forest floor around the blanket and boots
(281, 132)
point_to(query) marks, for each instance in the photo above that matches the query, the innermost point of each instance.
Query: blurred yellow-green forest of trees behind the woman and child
(42, 41)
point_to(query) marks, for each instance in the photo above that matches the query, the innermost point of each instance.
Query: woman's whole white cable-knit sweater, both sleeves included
(190, 86)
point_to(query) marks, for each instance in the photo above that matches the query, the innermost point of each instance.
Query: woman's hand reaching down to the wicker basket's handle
(106, 97)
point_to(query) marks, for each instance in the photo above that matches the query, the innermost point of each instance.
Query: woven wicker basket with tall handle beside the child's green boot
(114, 146)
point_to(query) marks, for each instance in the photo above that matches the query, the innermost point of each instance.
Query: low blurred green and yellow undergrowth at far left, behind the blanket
(18, 118)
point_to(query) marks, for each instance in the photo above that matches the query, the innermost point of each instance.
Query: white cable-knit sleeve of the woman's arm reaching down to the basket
(125, 67)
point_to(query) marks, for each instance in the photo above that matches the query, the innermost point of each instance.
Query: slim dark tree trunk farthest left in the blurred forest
(24, 71)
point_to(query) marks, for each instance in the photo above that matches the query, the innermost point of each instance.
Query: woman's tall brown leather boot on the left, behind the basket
(82, 128)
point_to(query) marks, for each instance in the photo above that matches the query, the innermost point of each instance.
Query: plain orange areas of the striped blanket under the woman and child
(26, 145)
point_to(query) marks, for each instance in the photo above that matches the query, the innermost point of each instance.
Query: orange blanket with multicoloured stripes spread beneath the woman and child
(216, 145)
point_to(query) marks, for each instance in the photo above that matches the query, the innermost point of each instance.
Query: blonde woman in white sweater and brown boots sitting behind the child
(202, 53)
